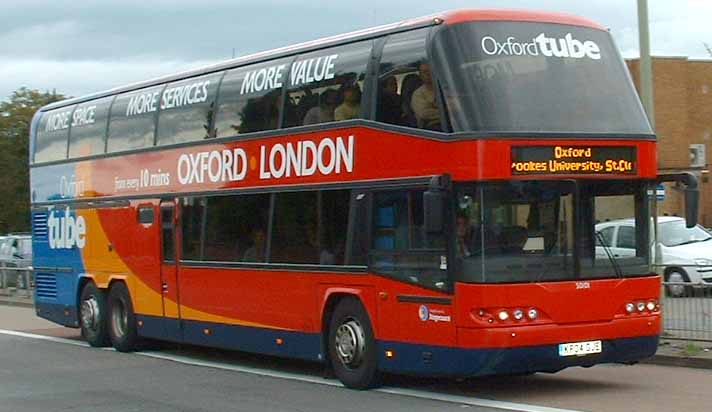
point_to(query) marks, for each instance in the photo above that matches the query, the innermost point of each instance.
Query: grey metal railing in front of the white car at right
(689, 316)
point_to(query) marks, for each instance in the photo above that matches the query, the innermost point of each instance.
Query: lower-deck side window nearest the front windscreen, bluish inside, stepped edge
(400, 247)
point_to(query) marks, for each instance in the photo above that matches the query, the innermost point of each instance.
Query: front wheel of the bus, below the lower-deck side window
(352, 347)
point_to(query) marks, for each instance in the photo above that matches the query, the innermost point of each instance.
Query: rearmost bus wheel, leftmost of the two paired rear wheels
(92, 316)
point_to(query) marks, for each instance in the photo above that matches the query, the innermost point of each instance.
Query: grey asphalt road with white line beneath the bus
(64, 375)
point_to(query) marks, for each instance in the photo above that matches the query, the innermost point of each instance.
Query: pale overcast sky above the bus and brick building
(78, 47)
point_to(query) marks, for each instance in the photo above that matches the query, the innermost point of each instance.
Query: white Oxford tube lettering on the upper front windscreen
(542, 45)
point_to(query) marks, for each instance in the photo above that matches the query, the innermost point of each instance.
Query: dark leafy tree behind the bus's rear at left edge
(15, 118)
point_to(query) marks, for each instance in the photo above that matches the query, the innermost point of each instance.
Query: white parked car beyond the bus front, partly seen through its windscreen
(685, 254)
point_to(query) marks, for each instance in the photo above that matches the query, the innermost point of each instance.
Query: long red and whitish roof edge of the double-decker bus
(447, 17)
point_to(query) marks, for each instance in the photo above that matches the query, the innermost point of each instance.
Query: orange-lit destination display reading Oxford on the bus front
(528, 160)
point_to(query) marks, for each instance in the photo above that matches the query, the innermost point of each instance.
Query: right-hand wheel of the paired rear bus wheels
(122, 320)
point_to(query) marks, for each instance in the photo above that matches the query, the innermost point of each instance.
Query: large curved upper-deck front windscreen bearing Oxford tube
(535, 77)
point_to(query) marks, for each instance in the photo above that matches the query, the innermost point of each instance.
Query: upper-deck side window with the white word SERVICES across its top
(187, 110)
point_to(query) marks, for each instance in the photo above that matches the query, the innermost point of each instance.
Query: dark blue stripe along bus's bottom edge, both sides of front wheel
(408, 358)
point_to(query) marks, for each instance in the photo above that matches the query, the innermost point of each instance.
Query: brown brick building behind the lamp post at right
(682, 89)
